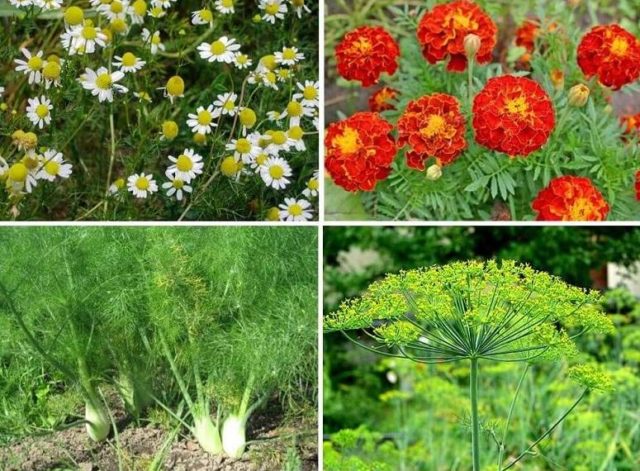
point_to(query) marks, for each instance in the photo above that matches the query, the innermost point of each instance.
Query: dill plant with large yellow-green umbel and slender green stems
(478, 312)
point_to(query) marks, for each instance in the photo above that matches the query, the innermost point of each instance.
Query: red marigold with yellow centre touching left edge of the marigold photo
(359, 151)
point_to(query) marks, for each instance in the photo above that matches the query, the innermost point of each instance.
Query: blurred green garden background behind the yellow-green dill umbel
(386, 414)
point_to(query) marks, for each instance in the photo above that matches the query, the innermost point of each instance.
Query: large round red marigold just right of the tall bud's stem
(513, 115)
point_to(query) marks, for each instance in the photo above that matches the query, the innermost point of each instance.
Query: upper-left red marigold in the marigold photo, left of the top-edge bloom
(365, 53)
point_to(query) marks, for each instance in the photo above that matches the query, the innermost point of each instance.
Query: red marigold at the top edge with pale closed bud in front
(442, 30)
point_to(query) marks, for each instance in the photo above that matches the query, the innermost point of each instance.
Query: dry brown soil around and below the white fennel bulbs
(271, 446)
